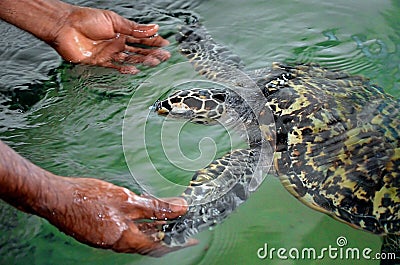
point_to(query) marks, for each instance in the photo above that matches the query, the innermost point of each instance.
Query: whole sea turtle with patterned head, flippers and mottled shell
(335, 137)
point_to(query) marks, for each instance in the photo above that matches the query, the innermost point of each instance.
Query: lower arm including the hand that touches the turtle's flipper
(94, 212)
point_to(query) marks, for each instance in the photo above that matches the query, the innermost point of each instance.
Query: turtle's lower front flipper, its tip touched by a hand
(214, 193)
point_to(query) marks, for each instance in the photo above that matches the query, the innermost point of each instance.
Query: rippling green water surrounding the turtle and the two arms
(75, 127)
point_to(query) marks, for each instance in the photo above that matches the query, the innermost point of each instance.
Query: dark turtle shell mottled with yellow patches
(342, 153)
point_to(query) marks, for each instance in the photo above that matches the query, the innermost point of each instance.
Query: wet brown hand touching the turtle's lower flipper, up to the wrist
(103, 215)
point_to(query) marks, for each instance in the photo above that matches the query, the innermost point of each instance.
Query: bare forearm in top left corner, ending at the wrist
(42, 18)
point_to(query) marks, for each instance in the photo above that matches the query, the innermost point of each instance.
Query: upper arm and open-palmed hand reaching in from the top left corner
(86, 35)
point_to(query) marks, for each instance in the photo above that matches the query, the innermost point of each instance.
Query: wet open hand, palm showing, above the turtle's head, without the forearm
(100, 37)
